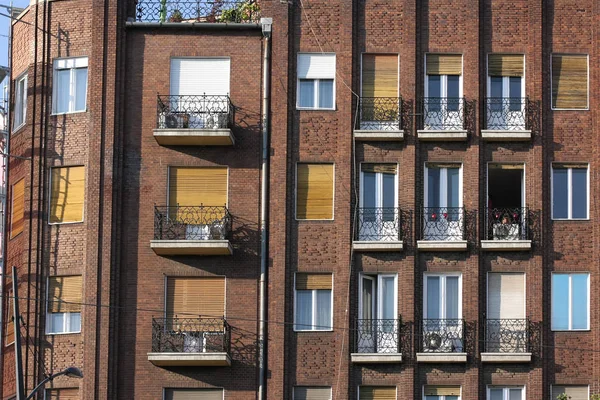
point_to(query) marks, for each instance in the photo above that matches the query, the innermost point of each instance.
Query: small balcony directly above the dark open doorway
(507, 119)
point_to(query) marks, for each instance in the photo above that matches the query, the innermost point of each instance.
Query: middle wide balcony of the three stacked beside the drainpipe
(199, 230)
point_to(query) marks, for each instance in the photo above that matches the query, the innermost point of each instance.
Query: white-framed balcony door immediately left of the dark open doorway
(443, 214)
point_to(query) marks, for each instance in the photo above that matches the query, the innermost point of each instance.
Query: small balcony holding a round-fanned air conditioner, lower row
(442, 341)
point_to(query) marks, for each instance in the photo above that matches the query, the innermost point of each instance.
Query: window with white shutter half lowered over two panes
(316, 81)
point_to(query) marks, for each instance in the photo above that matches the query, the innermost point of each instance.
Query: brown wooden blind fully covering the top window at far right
(569, 81)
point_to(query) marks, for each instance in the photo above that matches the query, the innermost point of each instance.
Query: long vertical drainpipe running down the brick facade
(264, 189)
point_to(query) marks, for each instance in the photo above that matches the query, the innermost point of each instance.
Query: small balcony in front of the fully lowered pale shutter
(506, 341)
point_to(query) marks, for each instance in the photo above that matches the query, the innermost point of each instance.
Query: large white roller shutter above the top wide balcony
(197, 76)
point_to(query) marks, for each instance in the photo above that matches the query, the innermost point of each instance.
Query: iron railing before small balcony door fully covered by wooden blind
(380, 114)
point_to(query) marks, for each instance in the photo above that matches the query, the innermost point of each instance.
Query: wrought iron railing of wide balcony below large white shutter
(194, 112)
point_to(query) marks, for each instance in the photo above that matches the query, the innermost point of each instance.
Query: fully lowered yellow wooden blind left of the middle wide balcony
(67, 194)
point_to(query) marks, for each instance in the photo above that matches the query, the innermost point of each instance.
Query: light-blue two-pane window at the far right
(570, 301)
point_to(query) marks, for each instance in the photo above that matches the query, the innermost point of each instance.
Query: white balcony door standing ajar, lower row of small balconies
(377, 313)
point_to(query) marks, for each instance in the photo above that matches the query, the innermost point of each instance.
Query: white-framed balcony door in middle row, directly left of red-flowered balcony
(378, 219)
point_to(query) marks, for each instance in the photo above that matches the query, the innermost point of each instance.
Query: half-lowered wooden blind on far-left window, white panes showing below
(68, 290)
